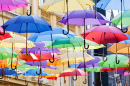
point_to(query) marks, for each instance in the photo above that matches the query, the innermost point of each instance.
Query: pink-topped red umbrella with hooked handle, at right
(104, 34)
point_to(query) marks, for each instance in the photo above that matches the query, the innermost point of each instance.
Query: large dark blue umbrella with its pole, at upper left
(27, 24)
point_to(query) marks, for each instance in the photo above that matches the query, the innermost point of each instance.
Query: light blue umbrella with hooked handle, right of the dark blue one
(55, 34)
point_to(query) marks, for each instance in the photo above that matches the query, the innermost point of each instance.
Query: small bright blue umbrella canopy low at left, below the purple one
(32, 72)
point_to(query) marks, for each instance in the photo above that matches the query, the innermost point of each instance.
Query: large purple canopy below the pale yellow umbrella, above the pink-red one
(79, 17)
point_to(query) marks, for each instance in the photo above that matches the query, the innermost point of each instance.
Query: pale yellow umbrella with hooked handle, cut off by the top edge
(66, 6)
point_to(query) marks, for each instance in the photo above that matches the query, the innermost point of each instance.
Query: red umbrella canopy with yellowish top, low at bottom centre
(72, 72)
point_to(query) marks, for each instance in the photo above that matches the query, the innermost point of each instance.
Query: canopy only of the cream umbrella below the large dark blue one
(17, 41)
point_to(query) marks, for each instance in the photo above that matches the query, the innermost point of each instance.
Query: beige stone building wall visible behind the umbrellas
(52, 18)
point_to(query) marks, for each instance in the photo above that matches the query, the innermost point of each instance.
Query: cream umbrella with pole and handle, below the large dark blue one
(16, 41)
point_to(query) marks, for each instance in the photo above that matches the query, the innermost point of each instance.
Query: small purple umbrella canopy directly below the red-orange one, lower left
(36, 63)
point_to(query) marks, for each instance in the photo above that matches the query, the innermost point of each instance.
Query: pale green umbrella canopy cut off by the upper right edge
(125, 18)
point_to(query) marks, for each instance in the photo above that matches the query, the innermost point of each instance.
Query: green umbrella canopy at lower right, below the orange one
(111, 61)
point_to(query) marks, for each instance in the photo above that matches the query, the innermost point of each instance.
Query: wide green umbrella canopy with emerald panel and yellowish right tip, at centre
(77, 41)
